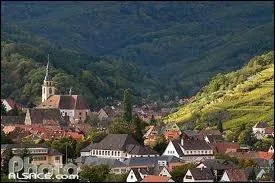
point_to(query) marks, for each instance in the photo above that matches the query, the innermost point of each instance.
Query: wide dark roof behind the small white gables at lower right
(218, 164)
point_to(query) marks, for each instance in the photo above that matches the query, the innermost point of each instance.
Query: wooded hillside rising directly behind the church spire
(23, 61)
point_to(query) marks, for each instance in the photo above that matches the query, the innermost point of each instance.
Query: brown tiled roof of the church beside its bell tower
(65, 102)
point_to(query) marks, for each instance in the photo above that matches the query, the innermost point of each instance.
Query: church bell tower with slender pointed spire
(47, 88)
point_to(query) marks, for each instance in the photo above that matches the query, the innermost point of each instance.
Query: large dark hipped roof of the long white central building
(123, 142)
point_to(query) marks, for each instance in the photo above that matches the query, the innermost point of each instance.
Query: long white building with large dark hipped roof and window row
(118, 146)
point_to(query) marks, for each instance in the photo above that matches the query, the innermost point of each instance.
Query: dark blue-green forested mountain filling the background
(180, 44)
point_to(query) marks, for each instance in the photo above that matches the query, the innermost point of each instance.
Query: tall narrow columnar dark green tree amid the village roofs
(127, 105)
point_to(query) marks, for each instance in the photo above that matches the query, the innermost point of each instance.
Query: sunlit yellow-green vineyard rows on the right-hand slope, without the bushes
(244, 107)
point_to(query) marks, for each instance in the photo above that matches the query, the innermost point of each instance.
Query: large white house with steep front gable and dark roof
(189, 150)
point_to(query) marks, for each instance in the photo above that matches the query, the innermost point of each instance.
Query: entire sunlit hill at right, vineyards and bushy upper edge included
(240, 97)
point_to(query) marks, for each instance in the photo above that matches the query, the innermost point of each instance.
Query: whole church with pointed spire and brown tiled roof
(70, 105)
